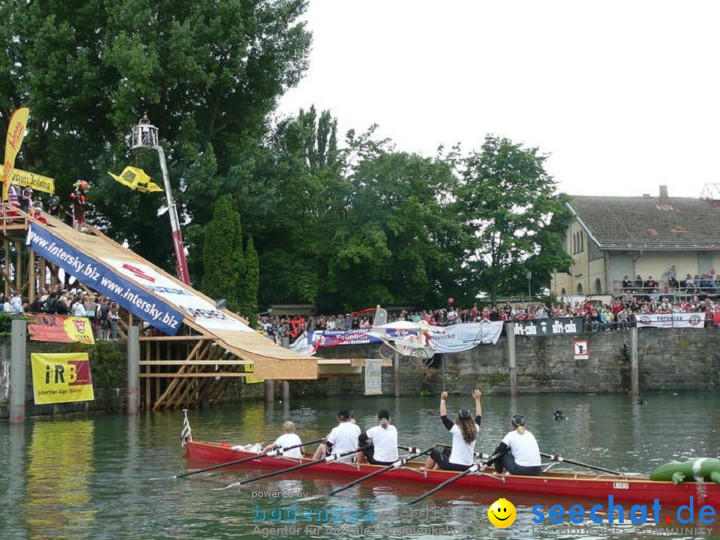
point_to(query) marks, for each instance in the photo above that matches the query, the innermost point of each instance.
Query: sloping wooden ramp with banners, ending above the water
(190, 349)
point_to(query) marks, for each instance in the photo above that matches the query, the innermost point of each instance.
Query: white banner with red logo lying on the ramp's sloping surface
(205, 313)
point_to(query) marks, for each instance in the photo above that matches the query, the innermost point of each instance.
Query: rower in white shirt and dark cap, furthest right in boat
(519, 451)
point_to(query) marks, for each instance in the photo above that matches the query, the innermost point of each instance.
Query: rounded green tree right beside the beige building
(506, 201)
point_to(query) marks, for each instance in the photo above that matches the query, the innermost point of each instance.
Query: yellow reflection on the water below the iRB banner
(60, 463)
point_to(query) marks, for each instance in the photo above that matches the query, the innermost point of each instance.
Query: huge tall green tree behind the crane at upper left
(208, 73)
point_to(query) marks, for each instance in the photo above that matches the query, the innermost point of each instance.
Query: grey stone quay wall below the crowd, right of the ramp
(669, 359)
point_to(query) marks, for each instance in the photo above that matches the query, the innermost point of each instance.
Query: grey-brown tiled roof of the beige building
(649, 223)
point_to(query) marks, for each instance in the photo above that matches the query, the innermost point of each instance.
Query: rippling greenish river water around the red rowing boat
(110, 475)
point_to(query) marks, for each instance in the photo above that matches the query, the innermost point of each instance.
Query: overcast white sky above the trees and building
(624, 95)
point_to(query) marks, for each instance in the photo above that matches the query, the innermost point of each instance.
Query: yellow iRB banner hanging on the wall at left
(61, 377)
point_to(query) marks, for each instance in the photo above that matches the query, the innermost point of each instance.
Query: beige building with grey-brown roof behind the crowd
(613, 237)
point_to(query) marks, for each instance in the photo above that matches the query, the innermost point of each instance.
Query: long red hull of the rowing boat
(634, 489)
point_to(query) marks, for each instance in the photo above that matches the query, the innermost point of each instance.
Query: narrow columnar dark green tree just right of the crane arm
(223, 258)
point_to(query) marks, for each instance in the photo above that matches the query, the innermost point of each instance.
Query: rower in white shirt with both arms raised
(464, 431)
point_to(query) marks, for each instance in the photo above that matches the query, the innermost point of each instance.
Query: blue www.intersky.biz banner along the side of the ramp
(130, 296)
